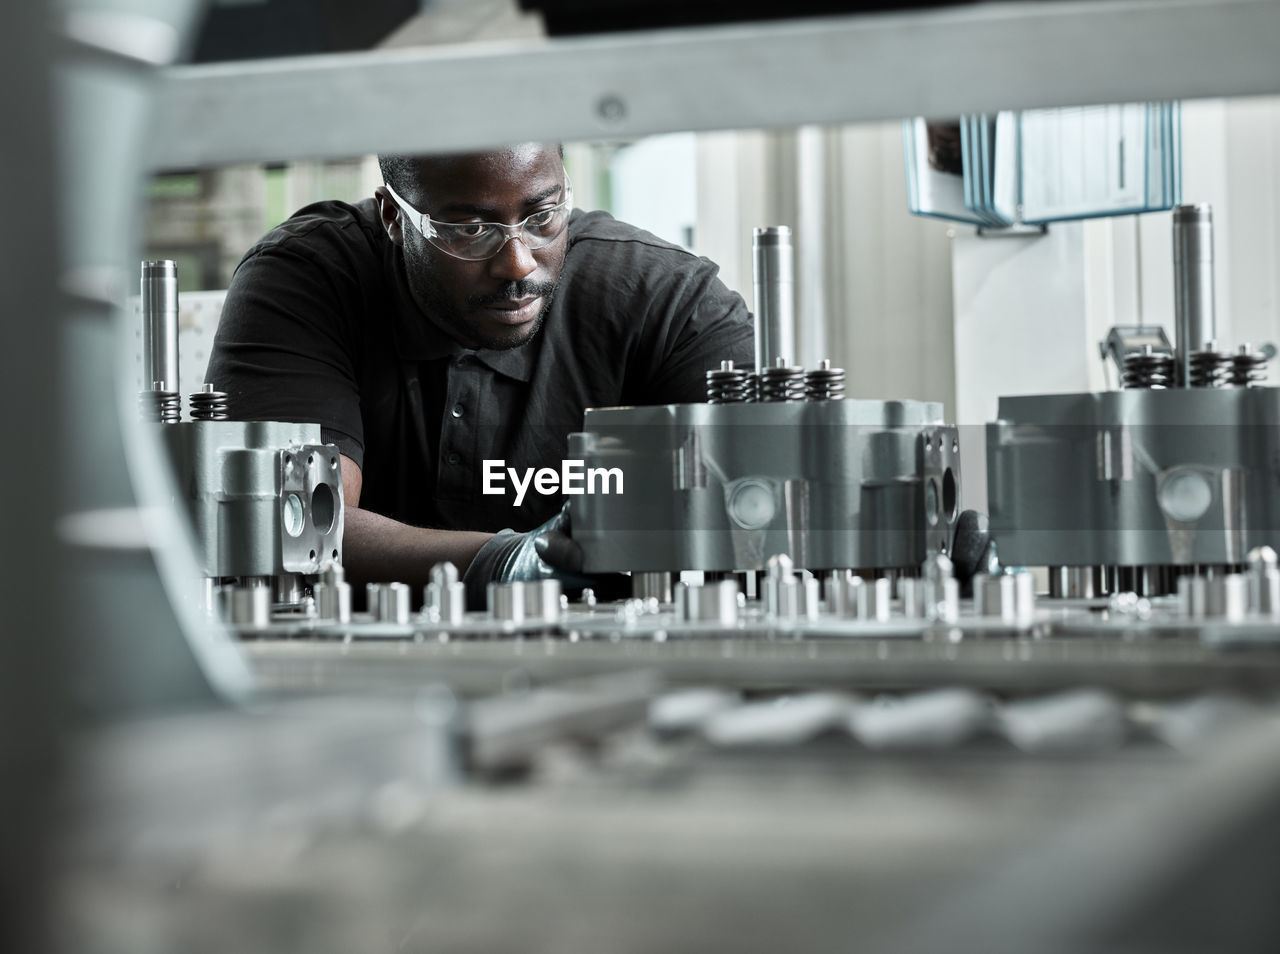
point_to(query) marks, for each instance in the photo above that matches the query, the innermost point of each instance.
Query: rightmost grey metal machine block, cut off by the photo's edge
(1136, 480)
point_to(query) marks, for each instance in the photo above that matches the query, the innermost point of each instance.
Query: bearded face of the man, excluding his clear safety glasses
(499, 303)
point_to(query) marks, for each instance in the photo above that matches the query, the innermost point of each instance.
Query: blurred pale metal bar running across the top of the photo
(939, 62)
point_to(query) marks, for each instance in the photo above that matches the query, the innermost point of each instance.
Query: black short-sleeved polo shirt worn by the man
(319, 327)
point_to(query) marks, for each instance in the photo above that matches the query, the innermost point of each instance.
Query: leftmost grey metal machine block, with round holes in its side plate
(264, 497)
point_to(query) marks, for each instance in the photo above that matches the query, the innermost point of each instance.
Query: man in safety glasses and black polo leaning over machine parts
(464, 314)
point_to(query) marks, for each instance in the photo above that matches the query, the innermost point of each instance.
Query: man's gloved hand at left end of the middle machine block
(542, 554)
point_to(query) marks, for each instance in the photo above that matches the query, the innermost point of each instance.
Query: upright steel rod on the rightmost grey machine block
(1194, 284)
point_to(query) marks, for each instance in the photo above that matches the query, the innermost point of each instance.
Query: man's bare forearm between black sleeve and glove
(381, 550)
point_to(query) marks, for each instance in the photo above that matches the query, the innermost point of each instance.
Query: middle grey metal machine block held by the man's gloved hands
(833, 485)
